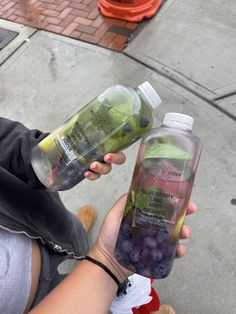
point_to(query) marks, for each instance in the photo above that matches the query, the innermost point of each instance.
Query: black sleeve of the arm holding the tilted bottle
(16, 143)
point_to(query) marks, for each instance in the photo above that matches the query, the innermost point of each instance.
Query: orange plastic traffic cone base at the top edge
(129, 10)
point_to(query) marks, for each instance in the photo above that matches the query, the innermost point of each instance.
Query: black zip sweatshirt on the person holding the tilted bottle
(25, 204)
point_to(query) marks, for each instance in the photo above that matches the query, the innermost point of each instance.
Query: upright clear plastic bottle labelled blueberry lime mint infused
(158, 198)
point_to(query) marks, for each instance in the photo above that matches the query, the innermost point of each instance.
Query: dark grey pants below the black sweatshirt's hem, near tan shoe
(50, 260)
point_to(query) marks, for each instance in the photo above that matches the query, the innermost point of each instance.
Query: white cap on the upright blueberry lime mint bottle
(179, 120)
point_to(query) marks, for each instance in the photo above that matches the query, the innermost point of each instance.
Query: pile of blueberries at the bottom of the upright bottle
(147, 252)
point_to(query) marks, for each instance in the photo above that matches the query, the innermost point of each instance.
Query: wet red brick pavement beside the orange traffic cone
(79, 19)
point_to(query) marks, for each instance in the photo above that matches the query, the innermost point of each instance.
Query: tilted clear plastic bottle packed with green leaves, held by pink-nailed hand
(109, 123)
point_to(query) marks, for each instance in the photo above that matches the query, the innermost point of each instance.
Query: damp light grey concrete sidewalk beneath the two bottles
(188, 53)
